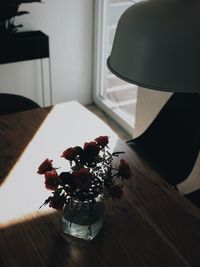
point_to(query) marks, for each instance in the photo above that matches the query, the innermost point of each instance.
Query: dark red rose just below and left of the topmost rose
(90, 151)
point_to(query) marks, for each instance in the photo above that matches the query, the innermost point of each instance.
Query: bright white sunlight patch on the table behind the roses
(68, 124)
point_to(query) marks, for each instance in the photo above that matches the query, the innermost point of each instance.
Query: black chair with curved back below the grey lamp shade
(171, 143)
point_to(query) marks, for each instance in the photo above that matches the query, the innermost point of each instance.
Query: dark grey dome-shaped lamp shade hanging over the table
(157, 45)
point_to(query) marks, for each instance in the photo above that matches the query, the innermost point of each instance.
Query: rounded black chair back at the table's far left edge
(11, 103)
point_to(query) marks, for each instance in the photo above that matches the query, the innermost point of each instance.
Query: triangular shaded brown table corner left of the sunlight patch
(16, 131)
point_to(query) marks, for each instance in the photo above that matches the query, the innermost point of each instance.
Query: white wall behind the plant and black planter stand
(69, 25)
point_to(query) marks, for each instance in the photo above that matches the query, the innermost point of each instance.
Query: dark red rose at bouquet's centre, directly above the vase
(82, 177)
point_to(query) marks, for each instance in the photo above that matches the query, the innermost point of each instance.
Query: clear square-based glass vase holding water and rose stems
(83, 219)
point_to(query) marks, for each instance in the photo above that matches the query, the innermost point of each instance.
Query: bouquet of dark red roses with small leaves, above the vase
(91, 175)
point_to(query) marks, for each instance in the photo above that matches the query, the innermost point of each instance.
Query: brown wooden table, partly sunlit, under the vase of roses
(150, 226)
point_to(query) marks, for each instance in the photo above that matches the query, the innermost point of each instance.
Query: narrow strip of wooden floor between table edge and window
(102, 115)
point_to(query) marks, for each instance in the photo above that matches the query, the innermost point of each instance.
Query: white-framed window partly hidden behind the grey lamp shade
(118, 98)
